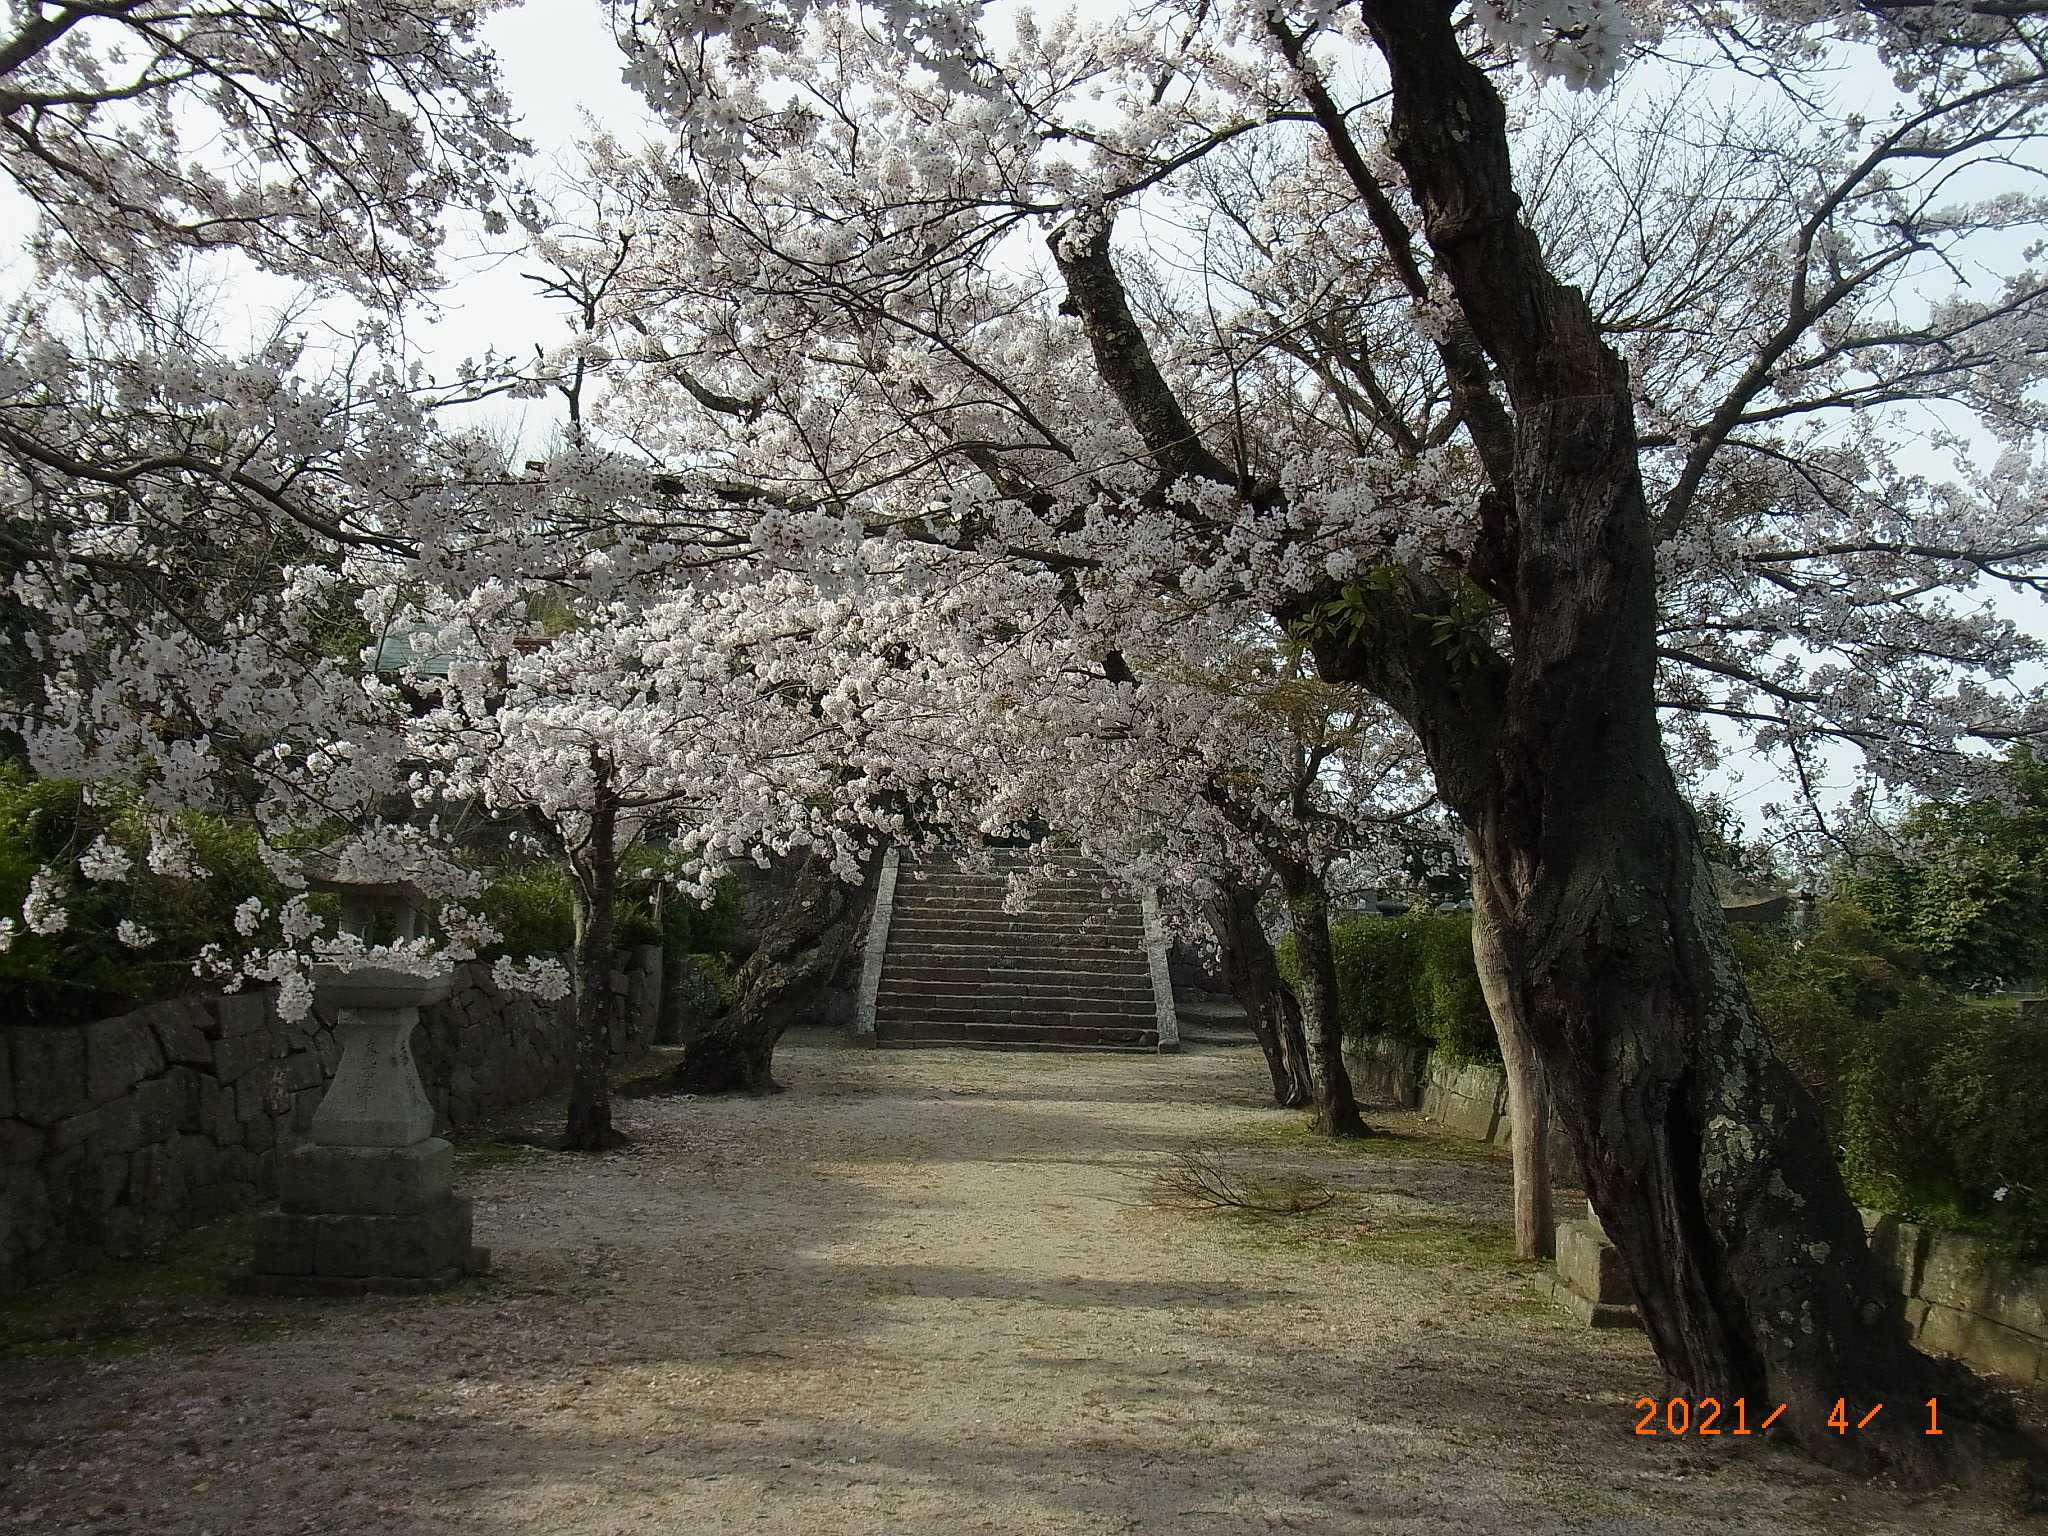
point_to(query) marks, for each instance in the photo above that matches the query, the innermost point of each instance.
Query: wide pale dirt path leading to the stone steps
(927, 1293)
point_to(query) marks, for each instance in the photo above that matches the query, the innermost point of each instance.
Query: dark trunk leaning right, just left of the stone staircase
(779, 984)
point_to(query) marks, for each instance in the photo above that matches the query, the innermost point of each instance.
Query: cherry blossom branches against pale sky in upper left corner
(321, 140)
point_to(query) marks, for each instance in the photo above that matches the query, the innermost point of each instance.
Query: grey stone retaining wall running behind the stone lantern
(122, 1132)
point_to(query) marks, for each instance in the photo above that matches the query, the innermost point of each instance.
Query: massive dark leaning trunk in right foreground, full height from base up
(1703, 1154)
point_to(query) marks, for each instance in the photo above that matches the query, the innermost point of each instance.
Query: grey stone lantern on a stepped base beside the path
(368, 1203)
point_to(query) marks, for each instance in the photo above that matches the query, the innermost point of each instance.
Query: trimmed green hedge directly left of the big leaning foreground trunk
(1410, 978)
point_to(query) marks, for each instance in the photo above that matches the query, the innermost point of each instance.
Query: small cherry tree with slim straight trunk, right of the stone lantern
(638, 724)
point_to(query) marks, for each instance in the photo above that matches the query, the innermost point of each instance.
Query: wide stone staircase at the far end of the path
(1068, 974)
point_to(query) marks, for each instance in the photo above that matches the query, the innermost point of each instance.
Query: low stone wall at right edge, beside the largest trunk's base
(1967, 1302)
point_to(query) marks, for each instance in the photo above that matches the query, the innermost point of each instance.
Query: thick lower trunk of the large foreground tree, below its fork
(1705, 1158)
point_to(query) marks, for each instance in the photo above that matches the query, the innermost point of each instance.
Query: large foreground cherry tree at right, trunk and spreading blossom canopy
(1562, 468)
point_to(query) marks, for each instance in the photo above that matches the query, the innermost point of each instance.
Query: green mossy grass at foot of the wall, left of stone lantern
(130, 1306)
